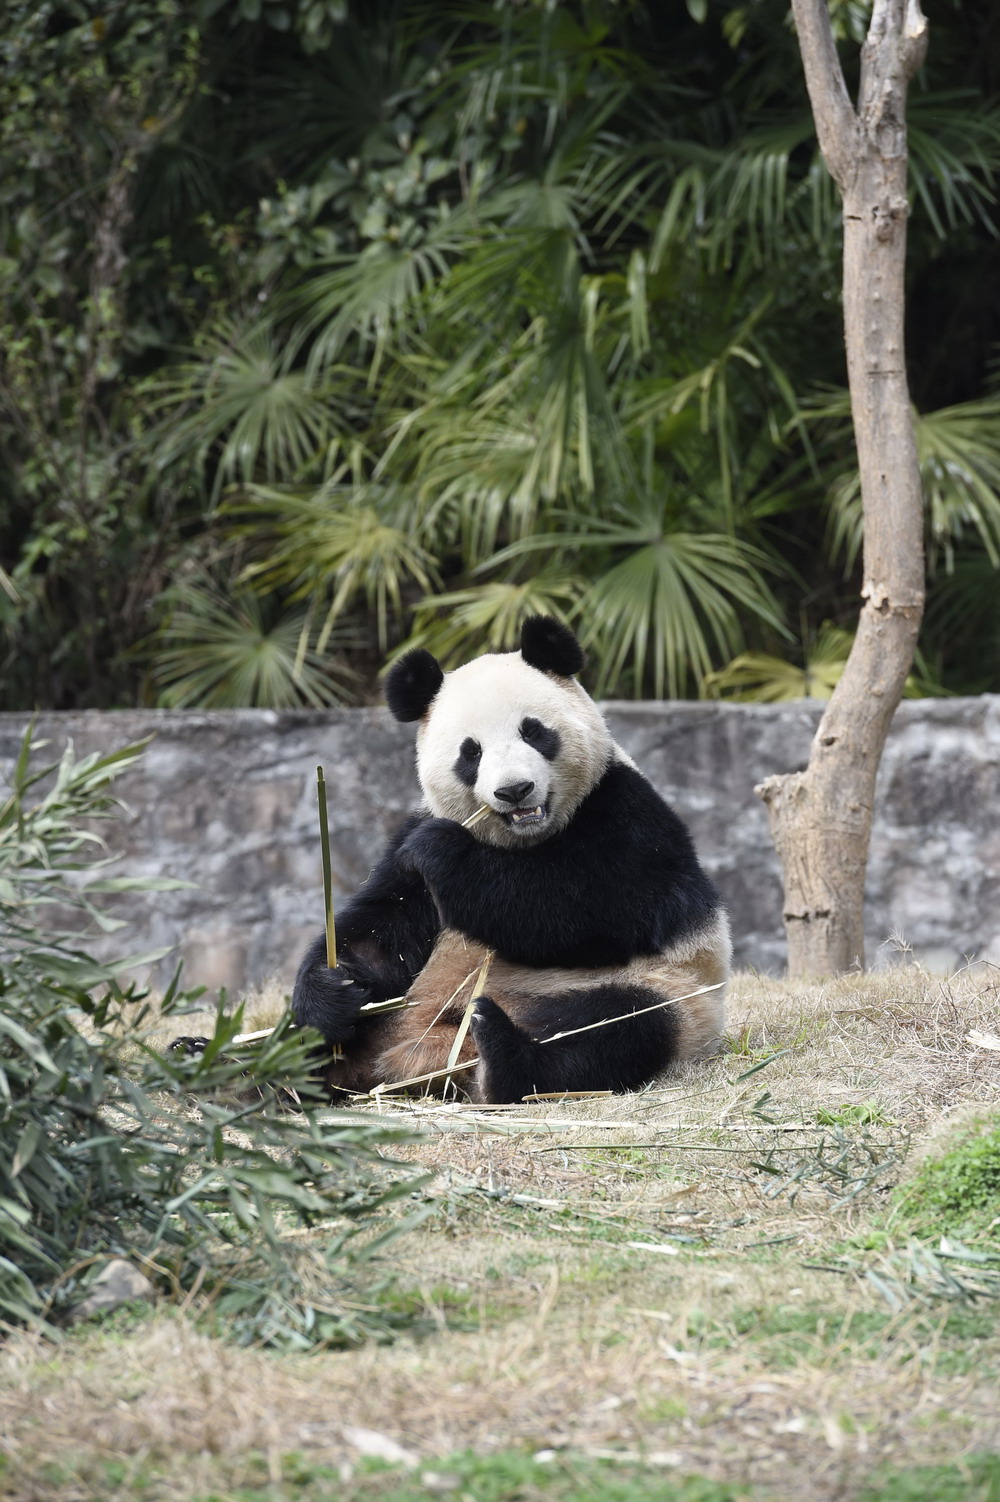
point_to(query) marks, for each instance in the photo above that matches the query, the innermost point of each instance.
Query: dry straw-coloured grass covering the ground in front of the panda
(727, 1347)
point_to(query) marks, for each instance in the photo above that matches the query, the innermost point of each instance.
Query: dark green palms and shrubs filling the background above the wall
(334, 327)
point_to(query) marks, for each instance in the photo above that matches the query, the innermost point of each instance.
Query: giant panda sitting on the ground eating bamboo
(580, 882)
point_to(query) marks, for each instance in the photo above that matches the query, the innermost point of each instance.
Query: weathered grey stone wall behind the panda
(229, 801)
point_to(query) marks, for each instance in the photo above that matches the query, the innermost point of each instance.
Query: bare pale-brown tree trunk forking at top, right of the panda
(821, 819)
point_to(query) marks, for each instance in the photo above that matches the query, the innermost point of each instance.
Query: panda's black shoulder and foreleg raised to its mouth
(621, 881)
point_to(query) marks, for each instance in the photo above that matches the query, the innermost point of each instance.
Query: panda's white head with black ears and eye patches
(511, 731)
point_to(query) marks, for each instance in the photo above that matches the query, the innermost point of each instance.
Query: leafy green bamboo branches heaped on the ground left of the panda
(193, 1168)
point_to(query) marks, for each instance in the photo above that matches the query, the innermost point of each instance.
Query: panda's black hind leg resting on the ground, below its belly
(621, 1055)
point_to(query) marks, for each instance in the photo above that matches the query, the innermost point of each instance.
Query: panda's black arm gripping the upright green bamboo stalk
(385, 938)
